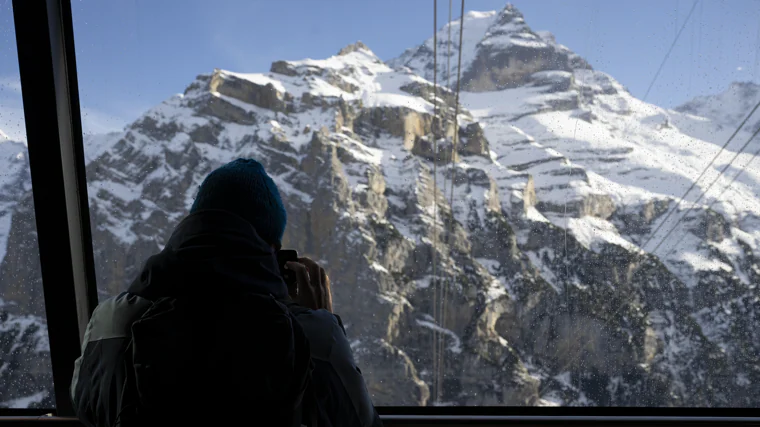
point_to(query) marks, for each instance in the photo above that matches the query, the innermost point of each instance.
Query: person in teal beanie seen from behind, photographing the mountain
(209, 332)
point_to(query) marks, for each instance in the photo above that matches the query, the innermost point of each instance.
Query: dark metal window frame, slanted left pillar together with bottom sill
(47, 65)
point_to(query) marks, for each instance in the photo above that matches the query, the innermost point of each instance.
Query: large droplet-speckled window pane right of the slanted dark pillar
(533, 245)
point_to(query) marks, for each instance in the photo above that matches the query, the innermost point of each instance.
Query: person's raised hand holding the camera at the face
(313, 284)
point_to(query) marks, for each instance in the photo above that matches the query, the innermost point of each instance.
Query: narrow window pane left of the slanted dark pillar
(26, 379)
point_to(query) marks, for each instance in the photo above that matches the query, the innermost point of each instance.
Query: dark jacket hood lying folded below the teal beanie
(211, 251)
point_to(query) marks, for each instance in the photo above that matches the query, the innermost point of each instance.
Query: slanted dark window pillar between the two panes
(50, 94)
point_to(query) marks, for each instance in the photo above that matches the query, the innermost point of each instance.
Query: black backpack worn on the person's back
(218, 359)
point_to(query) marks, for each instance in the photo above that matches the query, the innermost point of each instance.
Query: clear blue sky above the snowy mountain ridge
(132, 54)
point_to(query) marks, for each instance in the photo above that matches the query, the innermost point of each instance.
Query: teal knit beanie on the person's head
(244, 188)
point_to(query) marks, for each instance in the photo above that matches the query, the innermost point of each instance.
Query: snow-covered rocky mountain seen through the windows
(561, 176)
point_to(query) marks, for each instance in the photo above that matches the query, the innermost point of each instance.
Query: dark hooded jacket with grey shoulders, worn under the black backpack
(212, 253)
